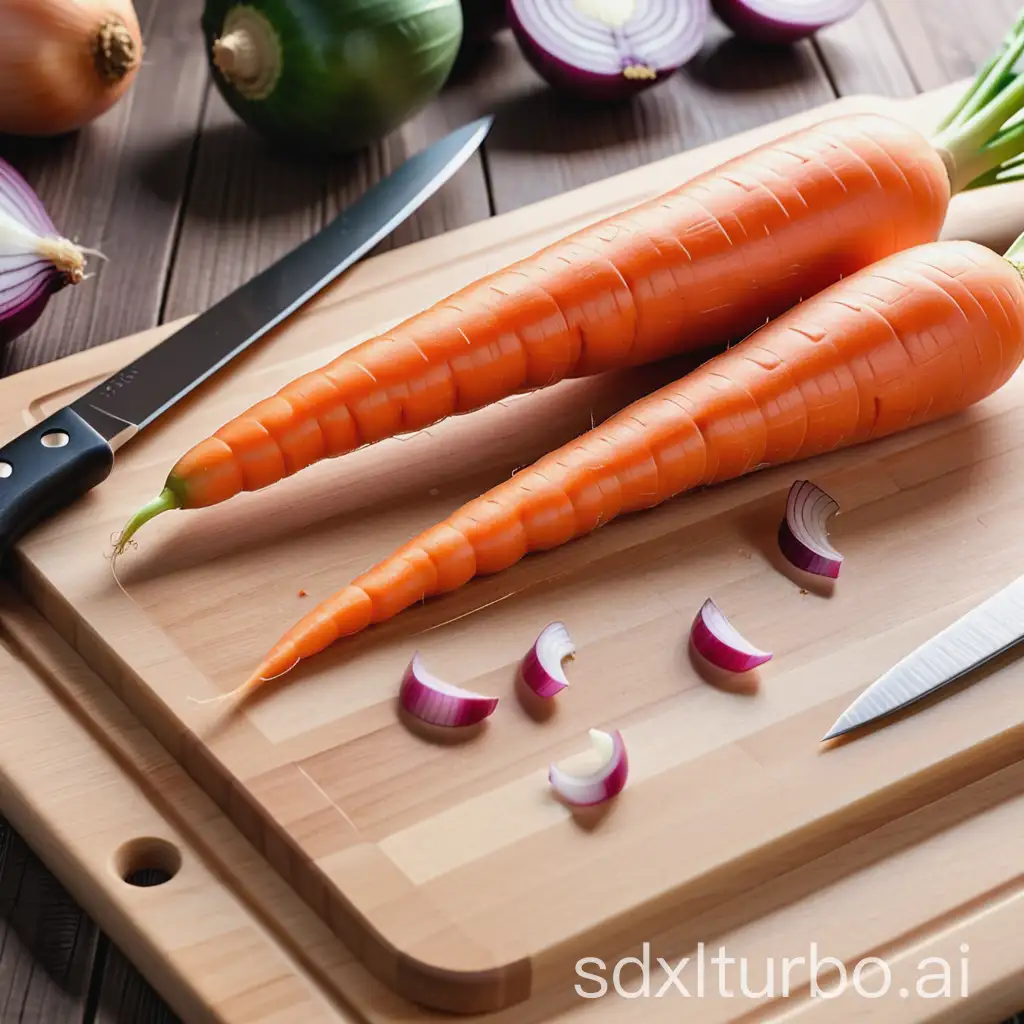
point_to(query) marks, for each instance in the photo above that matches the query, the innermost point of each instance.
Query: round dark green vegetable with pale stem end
(330, 76)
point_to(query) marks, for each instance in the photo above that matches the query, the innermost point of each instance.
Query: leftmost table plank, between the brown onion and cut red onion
(117, 186)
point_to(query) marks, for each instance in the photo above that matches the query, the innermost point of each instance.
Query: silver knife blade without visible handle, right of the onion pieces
(983, 634)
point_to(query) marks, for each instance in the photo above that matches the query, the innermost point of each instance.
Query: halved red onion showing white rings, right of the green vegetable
(609, 50)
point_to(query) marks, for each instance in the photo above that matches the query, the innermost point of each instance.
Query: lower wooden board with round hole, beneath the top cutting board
(852, 904)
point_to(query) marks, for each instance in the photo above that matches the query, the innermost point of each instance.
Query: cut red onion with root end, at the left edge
(35, 261)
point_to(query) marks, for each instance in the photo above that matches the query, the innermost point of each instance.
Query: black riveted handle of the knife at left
(47, 468)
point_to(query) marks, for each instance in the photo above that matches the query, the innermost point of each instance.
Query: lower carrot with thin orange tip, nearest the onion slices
(921, 335)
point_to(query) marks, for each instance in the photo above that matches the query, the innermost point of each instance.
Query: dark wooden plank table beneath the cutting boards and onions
(188, 204)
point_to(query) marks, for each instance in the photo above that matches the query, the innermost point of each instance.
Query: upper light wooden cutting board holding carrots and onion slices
(449, 871)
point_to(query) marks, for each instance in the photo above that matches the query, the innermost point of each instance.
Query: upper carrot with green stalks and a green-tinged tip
(702, 266)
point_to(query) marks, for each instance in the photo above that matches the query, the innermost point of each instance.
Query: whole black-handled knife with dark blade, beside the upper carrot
(64, 457)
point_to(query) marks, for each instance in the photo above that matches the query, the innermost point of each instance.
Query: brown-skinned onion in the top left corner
(65, 63)
